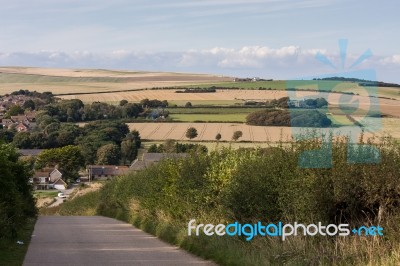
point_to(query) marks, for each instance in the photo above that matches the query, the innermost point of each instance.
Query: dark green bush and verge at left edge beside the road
(17, 206)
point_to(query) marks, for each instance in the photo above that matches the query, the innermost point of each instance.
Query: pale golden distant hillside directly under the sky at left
(64, 81)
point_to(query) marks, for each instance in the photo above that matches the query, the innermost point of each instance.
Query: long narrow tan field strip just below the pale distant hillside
(386, 106)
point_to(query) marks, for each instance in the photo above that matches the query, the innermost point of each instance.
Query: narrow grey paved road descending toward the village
(66, 240)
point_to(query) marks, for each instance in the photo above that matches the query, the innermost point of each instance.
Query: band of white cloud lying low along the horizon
(283, 62)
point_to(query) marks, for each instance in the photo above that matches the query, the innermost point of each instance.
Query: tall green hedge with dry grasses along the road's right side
(267, 185)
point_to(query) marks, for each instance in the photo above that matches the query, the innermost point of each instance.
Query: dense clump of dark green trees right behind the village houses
(98, 142)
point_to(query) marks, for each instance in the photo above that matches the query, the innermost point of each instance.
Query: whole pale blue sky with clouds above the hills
(277, 39)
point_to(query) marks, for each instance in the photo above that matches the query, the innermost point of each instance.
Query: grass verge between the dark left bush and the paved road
(12, 253)
